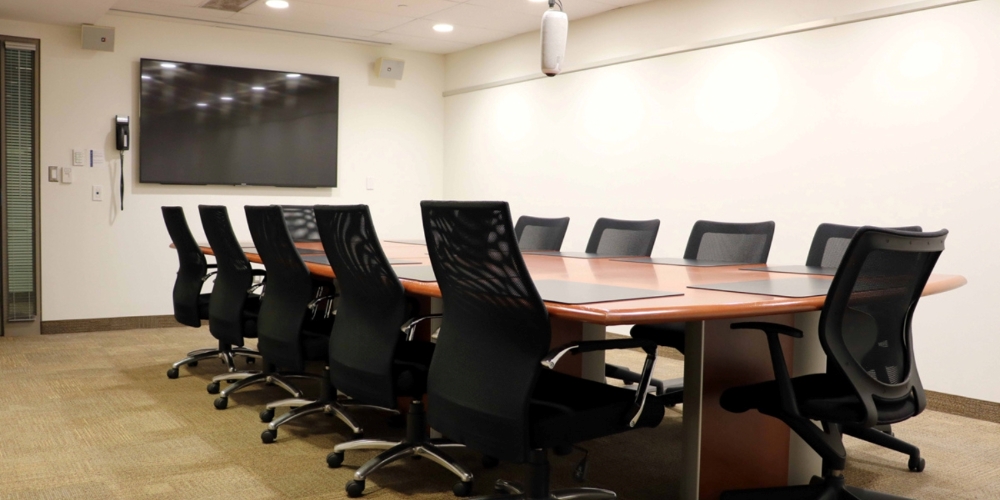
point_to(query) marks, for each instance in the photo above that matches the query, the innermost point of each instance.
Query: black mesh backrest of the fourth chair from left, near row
(372, 306)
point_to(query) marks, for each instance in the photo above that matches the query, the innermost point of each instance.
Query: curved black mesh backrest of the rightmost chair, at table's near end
(865, 324)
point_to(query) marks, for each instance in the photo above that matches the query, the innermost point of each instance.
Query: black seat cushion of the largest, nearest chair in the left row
(567, 410)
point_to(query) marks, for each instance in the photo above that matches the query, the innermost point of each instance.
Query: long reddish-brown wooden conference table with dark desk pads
(720, 450)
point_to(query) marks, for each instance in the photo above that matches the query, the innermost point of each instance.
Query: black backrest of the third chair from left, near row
(289, 289)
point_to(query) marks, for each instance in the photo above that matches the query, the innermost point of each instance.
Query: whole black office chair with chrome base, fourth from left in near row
(373, 357)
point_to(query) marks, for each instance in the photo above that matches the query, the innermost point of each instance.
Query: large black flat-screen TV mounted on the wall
(205, 124)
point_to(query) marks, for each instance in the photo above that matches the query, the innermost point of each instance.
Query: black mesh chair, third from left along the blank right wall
(738, 243)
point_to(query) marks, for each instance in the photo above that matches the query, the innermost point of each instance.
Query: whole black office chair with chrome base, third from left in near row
(292, 332)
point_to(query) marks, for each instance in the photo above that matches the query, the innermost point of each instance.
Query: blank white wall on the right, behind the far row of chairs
(886, 122)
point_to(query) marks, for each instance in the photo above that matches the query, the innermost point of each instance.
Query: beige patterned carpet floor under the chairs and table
(94, 416)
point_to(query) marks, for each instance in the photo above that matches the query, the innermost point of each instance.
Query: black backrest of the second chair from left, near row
(234, 276)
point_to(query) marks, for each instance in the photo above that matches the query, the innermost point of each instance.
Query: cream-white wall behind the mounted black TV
(99, 263)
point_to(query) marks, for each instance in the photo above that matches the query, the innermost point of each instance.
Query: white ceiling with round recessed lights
(402, 23)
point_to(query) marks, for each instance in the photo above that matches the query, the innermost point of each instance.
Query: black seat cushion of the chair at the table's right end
(819, 397)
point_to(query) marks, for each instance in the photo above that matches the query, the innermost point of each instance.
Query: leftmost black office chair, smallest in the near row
(190, 305)
